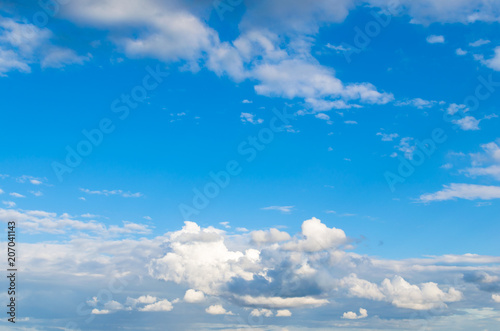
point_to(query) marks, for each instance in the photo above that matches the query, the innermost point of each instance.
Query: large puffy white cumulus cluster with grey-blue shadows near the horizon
(277, 271)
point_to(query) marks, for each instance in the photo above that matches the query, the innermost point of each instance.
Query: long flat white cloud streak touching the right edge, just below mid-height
(463, 191)
